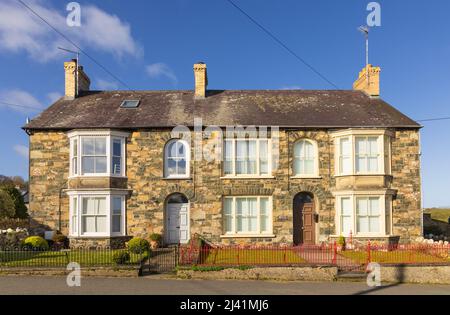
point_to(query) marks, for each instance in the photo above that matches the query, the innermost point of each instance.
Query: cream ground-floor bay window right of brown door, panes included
(363, 214)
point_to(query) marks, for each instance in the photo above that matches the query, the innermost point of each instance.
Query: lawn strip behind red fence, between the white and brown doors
(251, 257)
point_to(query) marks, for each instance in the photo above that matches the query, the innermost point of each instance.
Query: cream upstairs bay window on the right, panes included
(362, 152)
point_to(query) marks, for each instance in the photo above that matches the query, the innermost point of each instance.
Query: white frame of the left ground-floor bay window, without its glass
(75, 228)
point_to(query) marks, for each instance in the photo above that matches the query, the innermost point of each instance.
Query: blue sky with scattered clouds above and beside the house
(153, 44)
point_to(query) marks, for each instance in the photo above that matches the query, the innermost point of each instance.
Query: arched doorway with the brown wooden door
(303, 219)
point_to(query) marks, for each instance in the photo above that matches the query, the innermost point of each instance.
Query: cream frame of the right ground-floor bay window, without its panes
(385, 213)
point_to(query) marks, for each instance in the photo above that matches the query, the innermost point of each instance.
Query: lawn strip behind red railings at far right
(393, 257)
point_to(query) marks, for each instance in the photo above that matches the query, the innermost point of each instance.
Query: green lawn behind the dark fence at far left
(57, 258)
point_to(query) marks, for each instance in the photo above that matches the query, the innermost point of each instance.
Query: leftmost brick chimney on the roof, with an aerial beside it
(74, 85)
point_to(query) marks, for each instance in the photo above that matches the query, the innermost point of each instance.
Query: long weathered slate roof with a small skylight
(283, 108)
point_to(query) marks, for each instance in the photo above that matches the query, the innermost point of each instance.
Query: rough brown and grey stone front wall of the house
(49, 168)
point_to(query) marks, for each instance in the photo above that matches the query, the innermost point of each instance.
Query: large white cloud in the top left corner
(20, 30)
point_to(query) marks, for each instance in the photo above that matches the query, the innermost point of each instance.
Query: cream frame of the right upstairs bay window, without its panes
(383, 146)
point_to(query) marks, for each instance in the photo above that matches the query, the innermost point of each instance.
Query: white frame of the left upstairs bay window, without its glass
(76, 161)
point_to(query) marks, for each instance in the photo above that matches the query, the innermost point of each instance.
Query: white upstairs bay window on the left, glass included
(97, 153)
